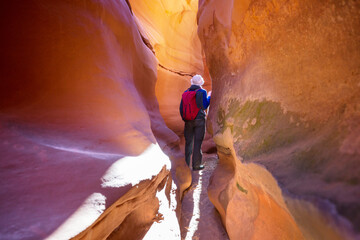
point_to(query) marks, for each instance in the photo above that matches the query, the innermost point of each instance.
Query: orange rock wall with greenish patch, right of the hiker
(285, 111)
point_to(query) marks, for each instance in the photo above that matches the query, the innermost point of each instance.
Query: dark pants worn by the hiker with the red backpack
(194, 135)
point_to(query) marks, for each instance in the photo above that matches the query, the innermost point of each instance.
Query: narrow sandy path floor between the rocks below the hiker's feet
(199, 218)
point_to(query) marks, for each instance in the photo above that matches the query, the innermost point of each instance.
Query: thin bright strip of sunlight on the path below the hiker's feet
(194, 222)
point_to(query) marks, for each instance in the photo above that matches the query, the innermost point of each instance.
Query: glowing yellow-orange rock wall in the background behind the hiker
(170, 28)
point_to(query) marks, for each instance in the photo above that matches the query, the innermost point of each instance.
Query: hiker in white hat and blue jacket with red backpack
(194, 102)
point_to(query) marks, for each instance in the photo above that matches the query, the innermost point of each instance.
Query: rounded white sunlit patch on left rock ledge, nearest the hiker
(132, 170)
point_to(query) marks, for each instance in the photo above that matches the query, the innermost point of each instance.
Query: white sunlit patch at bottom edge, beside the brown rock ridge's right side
(168, 228)
